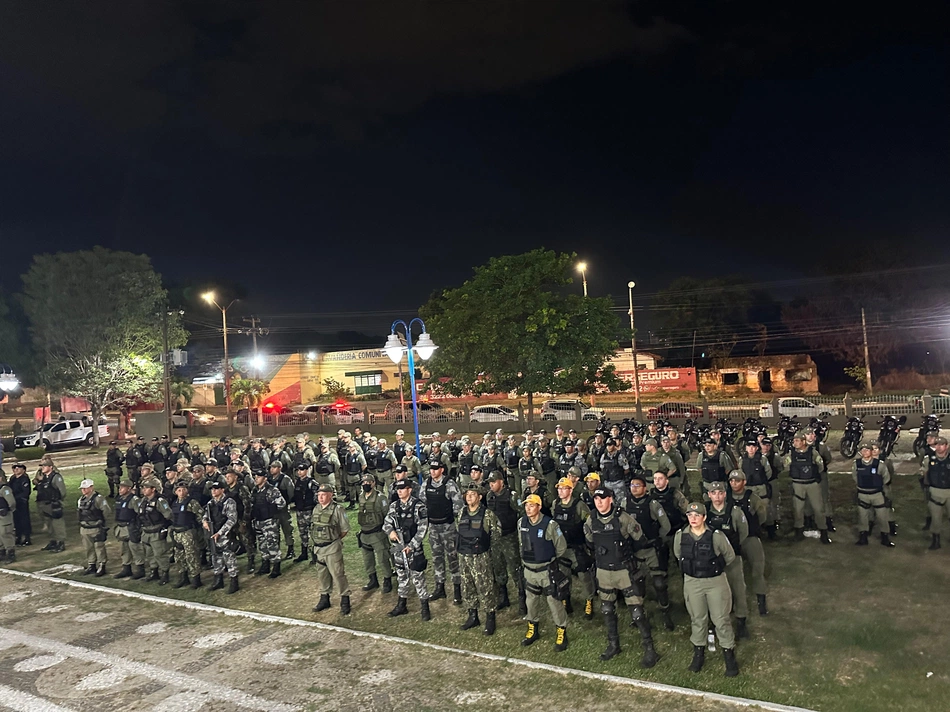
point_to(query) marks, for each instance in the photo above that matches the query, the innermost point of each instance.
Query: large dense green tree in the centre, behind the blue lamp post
(511, 327)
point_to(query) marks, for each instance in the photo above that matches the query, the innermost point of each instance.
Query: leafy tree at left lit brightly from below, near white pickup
(94, 322)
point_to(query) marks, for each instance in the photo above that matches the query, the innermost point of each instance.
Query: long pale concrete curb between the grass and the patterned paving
(267, 618)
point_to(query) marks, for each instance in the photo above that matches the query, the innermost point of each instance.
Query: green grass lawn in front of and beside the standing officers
(849, 628)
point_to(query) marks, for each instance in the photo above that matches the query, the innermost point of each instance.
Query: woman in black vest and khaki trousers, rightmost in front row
(703, 555)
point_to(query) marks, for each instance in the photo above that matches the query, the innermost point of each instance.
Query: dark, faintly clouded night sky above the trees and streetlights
(348, 158)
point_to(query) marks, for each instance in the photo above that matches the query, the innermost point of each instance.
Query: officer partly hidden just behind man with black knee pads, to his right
(651, 551)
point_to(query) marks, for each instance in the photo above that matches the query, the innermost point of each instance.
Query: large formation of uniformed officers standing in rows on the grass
(530, 518)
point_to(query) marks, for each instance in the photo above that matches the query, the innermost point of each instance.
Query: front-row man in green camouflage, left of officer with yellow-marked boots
(478, 530)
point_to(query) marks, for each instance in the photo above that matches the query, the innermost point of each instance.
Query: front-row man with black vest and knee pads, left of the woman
(612, 534)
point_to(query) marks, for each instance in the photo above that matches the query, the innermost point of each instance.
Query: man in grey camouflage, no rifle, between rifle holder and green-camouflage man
(443, 503)
